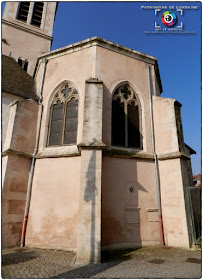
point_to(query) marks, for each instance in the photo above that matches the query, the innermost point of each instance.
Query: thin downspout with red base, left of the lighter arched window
(33, 158)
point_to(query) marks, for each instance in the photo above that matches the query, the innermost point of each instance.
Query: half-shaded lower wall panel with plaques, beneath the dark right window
(128, 218)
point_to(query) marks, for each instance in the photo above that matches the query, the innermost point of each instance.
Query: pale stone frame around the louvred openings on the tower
(30, 13)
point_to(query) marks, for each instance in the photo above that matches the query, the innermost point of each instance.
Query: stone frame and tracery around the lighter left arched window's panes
(59, 96)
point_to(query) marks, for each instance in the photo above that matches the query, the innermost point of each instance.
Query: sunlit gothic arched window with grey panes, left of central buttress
(63, 120)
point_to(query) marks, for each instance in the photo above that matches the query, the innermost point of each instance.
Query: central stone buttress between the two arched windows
(89, 221)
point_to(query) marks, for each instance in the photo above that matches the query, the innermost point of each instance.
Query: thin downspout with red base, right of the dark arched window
(156, 163)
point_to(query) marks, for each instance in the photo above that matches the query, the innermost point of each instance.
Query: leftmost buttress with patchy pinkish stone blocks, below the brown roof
(19, 139)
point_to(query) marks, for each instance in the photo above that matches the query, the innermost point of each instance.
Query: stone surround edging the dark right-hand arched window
(140, 106)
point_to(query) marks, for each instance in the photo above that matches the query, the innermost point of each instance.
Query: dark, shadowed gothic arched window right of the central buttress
(126, 118)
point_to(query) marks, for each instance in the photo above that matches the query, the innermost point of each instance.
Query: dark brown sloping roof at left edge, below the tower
(17, 81)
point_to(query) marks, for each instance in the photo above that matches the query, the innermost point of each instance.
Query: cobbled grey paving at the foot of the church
(148, 262)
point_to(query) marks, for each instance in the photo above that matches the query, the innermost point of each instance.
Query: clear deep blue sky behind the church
(179, 55)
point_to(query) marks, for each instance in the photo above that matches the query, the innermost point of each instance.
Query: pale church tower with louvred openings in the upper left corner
(27, 31)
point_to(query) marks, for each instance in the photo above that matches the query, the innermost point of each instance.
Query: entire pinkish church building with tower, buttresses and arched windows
(93, 157)
